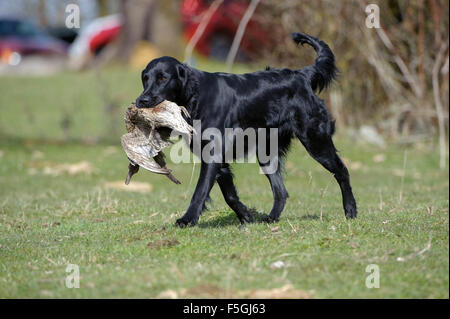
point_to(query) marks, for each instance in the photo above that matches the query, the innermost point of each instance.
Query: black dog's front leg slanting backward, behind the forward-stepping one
(226, 184)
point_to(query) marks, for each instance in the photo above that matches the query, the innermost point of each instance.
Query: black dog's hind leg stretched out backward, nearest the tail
(322, 149)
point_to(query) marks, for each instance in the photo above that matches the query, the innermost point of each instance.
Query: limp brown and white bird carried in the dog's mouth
(148, 133)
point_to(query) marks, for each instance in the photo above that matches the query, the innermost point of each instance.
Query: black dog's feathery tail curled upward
(324, 69)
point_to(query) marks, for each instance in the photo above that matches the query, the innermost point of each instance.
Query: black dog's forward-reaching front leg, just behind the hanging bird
(208, 175)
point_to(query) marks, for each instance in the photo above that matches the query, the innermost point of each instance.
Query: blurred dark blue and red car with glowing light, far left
(19, 38)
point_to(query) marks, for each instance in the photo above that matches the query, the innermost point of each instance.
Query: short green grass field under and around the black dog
(125, 243)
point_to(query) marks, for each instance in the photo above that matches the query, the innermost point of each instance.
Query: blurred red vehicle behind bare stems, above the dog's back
(219, 33)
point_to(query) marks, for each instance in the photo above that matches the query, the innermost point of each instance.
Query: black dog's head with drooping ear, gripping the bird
(163, 79)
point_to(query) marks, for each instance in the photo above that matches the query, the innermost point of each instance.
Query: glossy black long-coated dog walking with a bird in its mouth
(273, 98)
